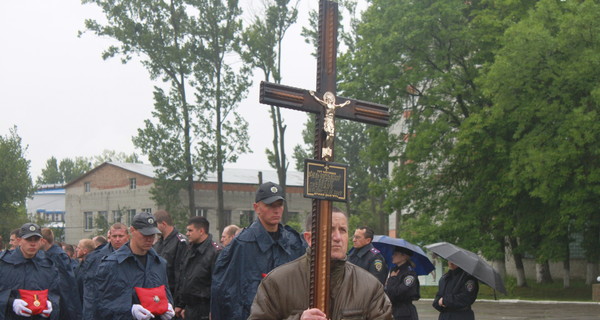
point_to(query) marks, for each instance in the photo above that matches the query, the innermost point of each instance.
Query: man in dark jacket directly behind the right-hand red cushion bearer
(171, 245)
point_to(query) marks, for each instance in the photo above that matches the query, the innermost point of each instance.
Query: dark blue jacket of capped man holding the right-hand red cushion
(117, 276)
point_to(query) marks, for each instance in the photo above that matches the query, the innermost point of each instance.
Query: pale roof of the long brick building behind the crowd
(230, 175)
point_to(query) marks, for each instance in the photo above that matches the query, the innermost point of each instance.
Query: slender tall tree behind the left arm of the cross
(263, 41)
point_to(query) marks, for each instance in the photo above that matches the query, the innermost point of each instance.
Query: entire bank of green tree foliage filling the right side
(495, 110)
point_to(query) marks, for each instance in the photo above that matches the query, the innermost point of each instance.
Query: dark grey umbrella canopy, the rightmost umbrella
(470, 262)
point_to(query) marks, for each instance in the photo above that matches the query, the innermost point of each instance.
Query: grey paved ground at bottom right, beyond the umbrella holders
(519, 310)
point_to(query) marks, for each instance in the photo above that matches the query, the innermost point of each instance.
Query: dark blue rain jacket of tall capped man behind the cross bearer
(242, 264)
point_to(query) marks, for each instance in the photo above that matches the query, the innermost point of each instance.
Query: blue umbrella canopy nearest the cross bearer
(387, 244)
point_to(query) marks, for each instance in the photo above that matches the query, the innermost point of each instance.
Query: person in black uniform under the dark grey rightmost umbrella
(456, 293)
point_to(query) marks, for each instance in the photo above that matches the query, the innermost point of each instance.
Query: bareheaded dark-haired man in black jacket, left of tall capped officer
(192, 300)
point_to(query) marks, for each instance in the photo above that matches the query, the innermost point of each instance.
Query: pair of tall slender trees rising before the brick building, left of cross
(185, 44)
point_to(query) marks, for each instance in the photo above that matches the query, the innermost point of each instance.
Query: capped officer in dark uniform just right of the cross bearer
(364, 255)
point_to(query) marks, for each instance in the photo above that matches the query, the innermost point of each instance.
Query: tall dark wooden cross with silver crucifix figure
(304, 100)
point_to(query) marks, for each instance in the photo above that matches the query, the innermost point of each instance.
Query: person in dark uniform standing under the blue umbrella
(402, 285)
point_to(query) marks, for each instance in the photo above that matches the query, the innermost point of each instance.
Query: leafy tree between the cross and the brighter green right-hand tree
(422, 59)
